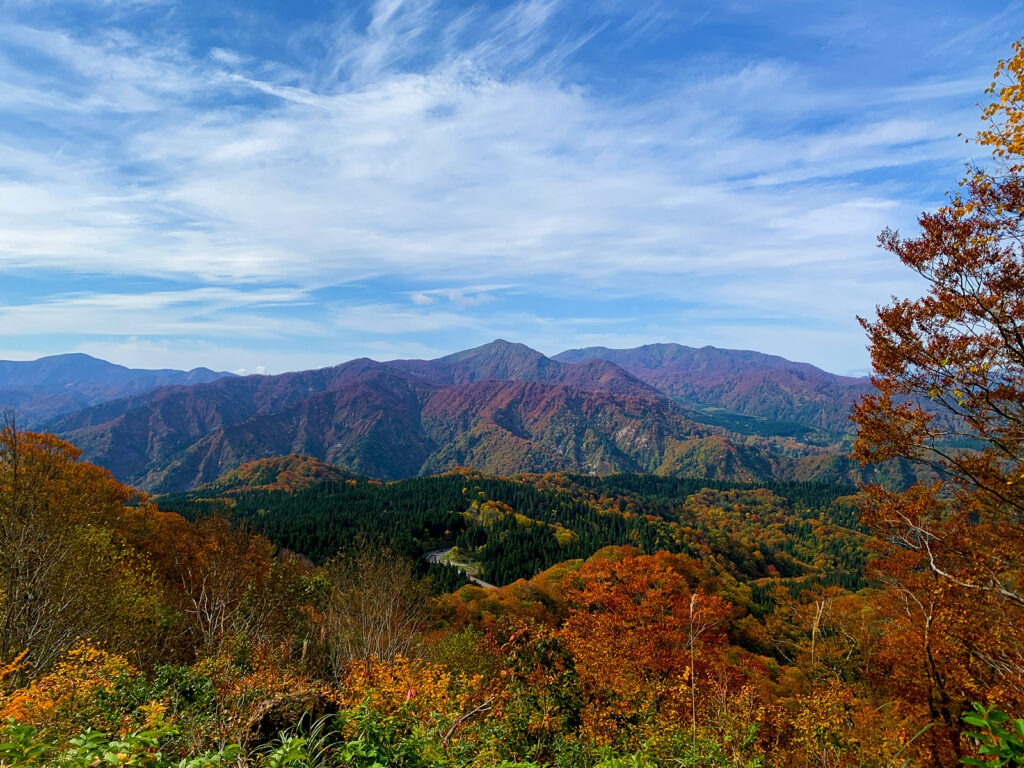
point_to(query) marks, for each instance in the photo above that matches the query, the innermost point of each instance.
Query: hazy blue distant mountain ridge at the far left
(42, 390)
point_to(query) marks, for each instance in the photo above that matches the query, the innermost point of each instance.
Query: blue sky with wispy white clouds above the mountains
(265, 186)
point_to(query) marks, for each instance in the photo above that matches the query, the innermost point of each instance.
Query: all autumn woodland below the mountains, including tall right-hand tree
(729, 627)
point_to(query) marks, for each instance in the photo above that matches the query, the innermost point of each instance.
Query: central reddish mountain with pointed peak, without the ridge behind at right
(501, 408)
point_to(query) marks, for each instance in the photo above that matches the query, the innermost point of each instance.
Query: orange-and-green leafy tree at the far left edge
(65, 575)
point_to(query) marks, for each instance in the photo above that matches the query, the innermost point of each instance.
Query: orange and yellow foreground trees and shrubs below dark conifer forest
(224, 639)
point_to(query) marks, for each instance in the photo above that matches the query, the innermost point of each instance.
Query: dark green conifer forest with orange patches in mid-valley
(515, 528)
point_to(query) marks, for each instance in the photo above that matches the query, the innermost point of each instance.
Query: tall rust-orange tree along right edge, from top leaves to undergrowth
(950, 373)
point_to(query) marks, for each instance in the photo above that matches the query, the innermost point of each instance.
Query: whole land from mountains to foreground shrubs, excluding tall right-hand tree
(544, 561)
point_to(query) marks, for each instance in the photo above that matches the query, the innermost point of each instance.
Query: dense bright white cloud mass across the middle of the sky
(430, 176)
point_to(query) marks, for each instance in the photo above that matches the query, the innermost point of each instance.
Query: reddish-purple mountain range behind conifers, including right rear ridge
(502, 409)
